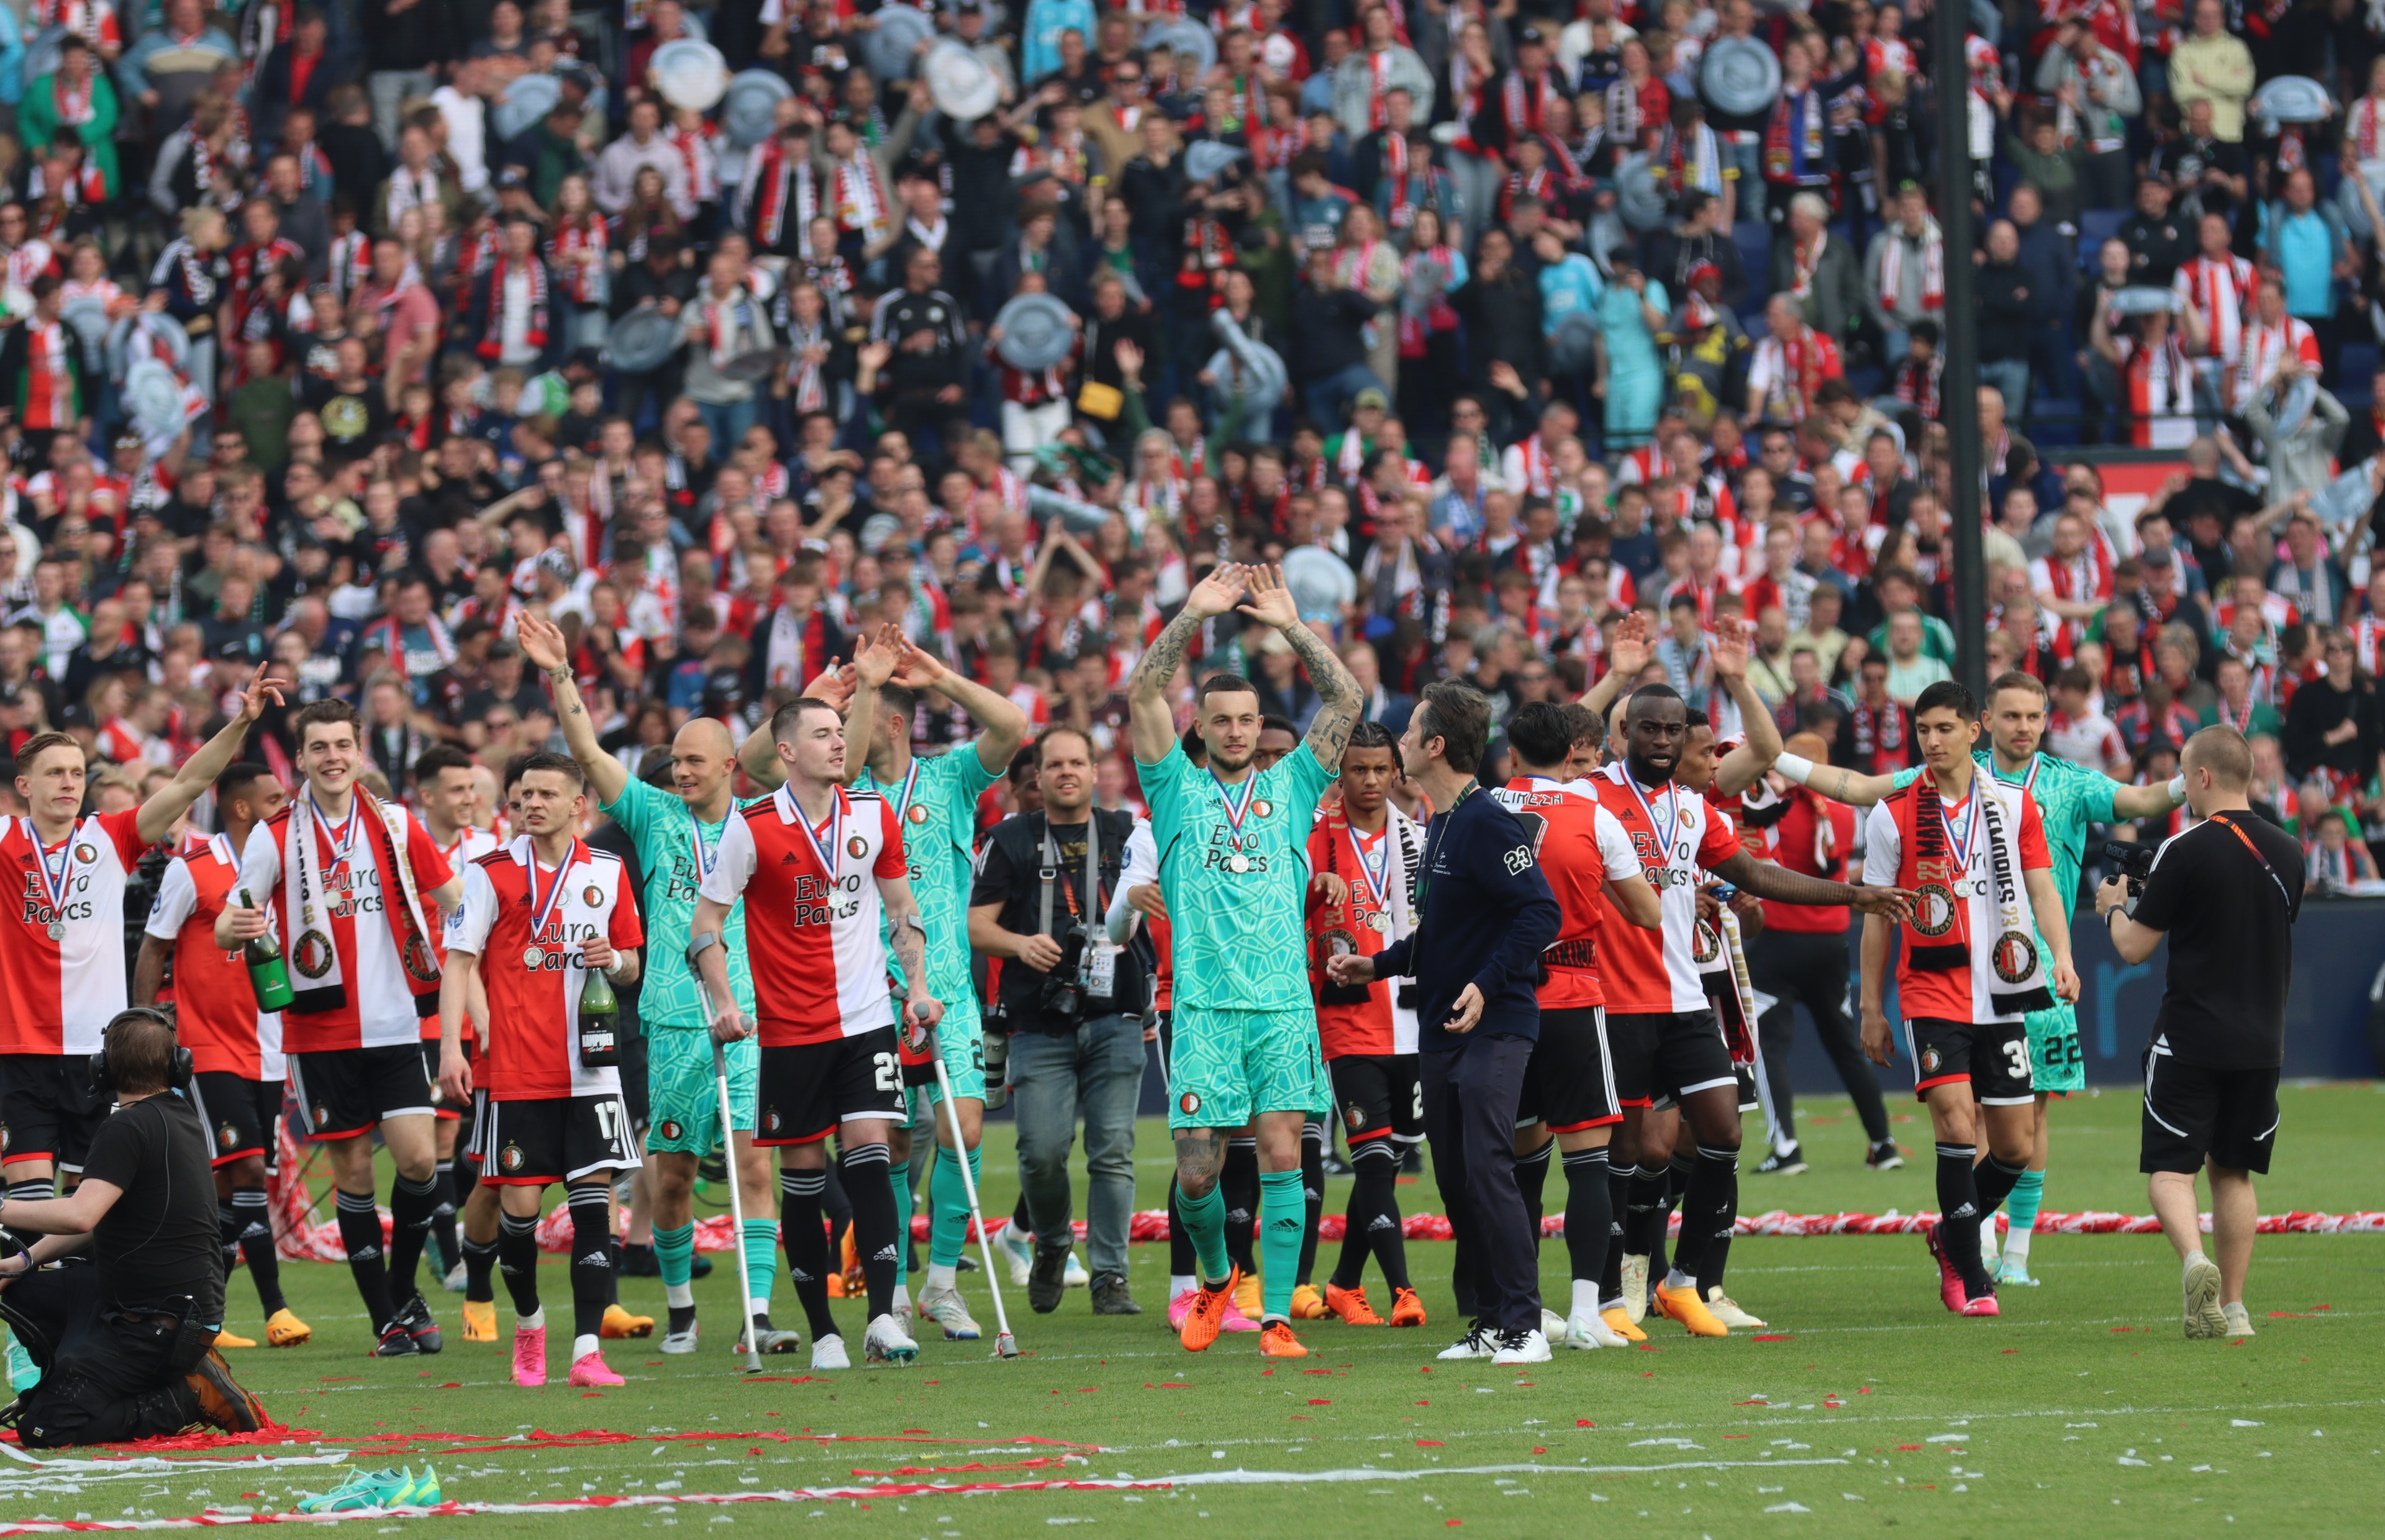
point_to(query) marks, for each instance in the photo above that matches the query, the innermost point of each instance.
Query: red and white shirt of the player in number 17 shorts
(526, 926)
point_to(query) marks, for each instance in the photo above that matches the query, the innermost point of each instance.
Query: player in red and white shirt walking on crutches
(822, 869)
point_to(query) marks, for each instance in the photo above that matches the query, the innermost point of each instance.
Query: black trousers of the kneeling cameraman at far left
(104, 1374)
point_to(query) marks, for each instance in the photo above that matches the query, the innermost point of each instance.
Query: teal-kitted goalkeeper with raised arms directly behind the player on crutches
(938, 807)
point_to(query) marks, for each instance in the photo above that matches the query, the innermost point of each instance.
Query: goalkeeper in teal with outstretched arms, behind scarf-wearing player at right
(2069, 800)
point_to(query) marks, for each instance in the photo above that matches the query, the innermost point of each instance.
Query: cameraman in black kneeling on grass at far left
(125, 1327)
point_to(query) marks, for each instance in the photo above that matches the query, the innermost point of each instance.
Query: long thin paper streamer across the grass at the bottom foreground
(881, 1491)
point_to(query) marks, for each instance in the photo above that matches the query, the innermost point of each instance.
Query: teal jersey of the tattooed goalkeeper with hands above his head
(1237, 874)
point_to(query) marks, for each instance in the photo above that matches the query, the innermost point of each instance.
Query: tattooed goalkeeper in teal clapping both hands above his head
(1234, 871)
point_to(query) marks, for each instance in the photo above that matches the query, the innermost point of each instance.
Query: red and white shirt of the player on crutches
(814, 938)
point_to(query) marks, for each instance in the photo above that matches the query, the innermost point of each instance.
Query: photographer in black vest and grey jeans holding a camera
(1072, 1005)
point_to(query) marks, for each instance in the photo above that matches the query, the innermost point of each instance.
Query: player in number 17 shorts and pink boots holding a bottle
(535, 919)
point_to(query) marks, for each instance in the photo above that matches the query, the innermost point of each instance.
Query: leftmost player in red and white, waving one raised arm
(63, 945)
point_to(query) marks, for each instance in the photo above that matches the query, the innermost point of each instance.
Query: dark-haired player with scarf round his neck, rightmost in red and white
(1976, 852)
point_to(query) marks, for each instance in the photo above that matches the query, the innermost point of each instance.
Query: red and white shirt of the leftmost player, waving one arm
(63, 988)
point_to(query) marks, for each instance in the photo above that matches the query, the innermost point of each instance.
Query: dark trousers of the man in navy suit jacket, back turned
(1470, 1103)
